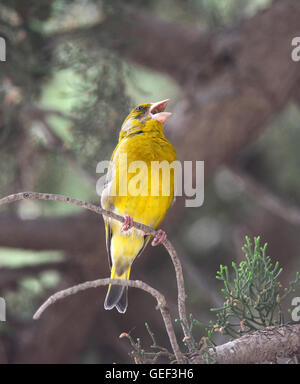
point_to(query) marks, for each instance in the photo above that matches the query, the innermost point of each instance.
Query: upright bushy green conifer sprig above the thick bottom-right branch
(254, 296)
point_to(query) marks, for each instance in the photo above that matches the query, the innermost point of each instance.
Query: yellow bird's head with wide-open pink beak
(145, 117)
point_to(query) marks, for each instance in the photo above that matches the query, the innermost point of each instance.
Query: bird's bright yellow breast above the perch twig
(137, 187)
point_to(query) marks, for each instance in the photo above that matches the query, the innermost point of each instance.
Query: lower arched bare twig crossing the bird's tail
(161, 302)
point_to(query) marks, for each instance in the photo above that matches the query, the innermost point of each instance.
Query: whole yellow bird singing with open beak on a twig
(137, 191)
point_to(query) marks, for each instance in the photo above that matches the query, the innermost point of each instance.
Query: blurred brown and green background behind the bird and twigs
(73, 70)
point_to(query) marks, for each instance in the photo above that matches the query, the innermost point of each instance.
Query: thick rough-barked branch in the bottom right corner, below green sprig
(262, 346)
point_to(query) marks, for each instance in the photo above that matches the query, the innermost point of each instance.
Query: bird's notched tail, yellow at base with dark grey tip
(116, 294)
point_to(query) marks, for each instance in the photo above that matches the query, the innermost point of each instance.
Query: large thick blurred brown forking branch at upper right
(227, 76)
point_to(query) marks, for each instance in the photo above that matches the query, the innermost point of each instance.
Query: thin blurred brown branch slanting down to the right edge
(266, 198)
